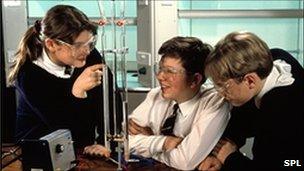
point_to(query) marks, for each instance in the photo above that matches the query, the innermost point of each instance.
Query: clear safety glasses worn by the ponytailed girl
(80, 45)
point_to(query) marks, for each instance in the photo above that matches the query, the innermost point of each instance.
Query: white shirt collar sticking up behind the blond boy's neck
(279, 76)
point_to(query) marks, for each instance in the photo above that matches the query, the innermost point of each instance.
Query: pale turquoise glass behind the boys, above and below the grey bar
(282, 33)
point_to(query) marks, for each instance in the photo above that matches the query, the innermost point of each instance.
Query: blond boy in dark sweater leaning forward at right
(266, 88)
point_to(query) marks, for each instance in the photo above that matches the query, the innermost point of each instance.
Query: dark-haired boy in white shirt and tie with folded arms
(179, 122)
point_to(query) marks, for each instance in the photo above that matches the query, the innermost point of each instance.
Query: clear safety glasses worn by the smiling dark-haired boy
(167, 71)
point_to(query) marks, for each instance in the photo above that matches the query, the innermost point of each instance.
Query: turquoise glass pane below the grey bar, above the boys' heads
(277, 33)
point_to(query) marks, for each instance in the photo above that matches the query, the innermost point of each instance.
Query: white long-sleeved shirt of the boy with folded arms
(201, 122)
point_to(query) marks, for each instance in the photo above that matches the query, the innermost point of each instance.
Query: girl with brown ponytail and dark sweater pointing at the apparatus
(57, 75)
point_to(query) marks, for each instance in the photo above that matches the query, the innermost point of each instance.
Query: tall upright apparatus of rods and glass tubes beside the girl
(120, 137)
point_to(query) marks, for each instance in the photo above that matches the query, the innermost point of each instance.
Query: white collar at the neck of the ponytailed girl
(45, 63)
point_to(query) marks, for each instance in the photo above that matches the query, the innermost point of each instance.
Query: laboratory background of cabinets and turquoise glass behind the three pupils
(147, 24)
